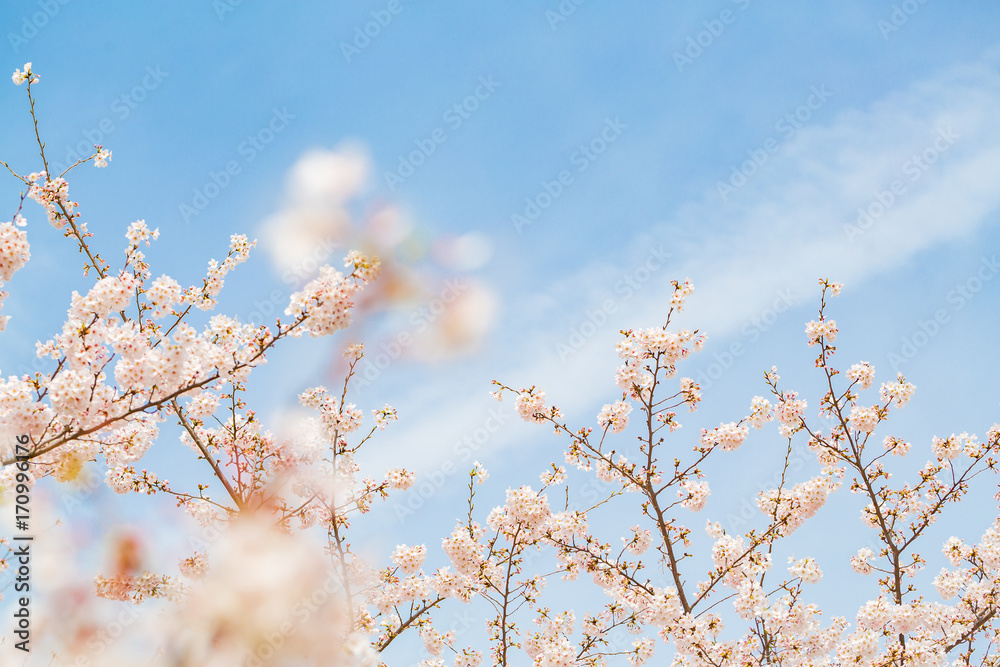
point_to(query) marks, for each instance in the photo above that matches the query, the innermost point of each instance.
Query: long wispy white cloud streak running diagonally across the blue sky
(795, 220)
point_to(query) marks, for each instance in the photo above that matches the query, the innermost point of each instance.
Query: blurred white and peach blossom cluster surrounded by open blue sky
(325, 210)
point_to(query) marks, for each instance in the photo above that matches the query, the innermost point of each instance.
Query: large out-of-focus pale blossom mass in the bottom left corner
(266, 598)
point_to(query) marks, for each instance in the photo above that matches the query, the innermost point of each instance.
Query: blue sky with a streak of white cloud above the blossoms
(873, 84)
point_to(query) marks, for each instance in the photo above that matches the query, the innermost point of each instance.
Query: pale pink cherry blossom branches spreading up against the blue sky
(132, 362)
